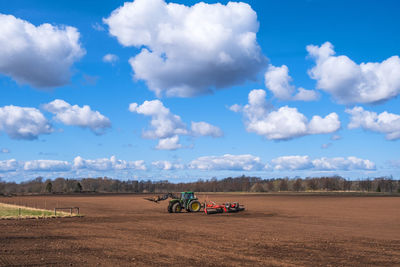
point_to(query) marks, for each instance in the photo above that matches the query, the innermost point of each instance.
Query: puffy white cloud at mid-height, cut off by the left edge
(23, 123)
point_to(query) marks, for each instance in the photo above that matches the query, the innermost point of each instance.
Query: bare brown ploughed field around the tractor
(273, 231)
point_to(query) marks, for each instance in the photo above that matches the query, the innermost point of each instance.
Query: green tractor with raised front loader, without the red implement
(187, 201)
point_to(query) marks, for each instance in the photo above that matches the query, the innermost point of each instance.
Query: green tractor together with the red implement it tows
(189, 202)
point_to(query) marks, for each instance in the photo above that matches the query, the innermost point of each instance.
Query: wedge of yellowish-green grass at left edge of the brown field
(8, 211)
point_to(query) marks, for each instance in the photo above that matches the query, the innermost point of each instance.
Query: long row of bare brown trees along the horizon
(237, 184)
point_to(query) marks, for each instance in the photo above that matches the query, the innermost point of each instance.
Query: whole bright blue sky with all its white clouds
(189, 90)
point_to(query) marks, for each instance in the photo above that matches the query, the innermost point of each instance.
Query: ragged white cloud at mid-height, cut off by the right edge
(386, 123)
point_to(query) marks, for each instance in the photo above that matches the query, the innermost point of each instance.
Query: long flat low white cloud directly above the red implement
(227, 162)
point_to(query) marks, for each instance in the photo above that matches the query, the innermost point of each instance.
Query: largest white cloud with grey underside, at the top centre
(196, 49)
